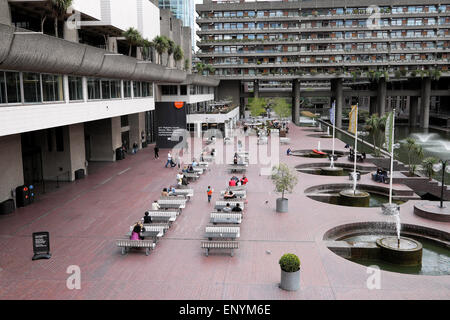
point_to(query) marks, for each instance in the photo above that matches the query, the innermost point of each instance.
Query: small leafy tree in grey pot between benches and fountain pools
(285, 180)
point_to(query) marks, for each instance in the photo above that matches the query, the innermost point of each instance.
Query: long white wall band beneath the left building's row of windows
(26, 118)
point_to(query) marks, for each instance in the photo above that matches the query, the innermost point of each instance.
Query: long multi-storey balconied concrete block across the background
(364, 51)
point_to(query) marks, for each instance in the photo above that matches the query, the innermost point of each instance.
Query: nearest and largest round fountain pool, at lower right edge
(363, 243)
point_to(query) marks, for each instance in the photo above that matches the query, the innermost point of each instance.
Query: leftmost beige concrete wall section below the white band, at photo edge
(11, 166)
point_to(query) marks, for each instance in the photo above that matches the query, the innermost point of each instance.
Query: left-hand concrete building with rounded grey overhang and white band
(80, 97)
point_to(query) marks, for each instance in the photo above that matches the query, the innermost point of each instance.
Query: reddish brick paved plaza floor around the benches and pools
(86, 217)
